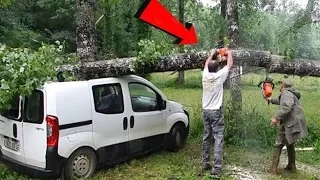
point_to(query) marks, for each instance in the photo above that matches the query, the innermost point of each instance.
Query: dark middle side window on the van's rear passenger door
(108, 99)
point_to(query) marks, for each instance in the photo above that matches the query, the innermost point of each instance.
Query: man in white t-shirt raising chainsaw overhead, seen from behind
(212, 82)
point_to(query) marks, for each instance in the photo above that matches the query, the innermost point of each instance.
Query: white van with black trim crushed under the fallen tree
(70, 129)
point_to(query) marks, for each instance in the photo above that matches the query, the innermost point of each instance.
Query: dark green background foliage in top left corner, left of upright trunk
(25, 23)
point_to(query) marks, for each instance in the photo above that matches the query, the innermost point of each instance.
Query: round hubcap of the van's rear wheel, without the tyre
(81, 165)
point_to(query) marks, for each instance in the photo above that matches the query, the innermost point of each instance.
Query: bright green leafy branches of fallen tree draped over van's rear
(22, 69)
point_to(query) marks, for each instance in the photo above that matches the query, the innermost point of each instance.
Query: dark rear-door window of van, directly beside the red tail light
(33, 111)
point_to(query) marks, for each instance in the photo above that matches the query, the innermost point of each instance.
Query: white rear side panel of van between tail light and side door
(73, 111)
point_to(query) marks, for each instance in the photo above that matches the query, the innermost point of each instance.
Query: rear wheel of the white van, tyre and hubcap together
(81, 164)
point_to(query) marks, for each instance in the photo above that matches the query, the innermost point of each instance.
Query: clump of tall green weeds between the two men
(248, 128)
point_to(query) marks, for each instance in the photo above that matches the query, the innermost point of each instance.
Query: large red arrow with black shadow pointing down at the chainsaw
(155, 14)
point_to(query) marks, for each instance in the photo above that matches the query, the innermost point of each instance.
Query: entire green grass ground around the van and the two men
(186, 163)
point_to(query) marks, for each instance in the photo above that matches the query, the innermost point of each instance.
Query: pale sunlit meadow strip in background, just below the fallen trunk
(308, 86)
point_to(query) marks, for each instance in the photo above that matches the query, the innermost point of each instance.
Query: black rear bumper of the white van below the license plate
(32, 170)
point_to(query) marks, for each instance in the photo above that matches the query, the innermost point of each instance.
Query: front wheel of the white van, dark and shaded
(175, 138)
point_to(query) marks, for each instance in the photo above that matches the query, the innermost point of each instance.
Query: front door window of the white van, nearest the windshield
(143, 98)
